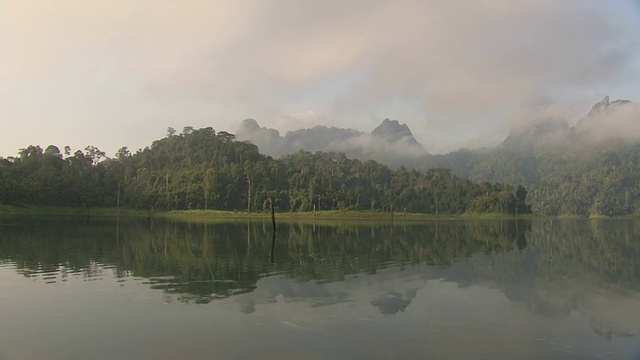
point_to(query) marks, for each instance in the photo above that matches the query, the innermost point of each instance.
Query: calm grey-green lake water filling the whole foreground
(108, 289)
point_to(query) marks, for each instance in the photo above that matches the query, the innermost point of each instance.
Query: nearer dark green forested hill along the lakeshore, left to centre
(205, 169)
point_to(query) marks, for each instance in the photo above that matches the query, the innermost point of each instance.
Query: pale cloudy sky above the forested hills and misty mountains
(458, 73)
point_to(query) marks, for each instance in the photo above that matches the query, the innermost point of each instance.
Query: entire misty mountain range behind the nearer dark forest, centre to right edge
(588, 168)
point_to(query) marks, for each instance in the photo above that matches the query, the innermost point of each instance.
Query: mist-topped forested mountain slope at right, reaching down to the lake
(591, 168)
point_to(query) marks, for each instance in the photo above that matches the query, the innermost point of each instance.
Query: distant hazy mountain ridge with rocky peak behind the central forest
(390, 143)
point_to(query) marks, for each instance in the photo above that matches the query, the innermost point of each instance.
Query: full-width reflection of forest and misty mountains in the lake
(200, 262)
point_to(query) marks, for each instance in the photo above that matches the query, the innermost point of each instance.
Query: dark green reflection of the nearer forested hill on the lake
(211, 260)
